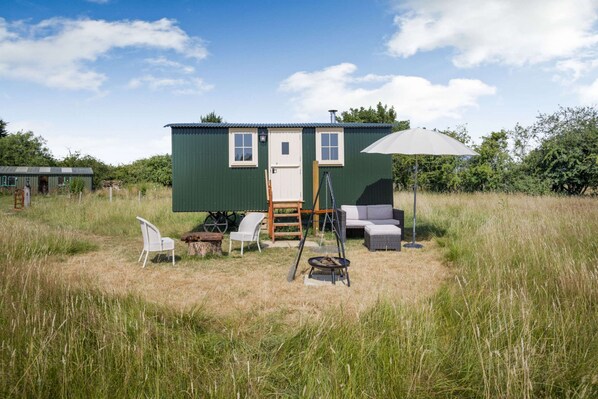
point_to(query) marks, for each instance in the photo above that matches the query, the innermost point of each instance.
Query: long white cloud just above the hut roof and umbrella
(413, 97)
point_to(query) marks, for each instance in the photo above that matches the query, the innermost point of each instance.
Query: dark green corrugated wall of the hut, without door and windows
(203, 180)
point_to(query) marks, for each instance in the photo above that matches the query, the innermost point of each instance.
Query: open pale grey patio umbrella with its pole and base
(418, 141)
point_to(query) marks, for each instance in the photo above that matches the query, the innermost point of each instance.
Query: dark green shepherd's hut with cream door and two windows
(225, 166)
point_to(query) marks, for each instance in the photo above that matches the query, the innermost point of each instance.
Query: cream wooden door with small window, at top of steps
(286, 170)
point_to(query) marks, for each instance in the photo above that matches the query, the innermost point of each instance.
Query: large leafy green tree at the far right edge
(567, 156)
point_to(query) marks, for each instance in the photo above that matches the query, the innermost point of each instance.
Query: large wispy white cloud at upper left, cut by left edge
(59, 52)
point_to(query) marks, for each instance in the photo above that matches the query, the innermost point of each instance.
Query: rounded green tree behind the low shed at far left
(25, 149)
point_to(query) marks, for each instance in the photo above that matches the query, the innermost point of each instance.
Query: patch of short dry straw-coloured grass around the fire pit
(255, 284)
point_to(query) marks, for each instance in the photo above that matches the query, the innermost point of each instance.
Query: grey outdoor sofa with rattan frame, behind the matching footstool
(356, 217)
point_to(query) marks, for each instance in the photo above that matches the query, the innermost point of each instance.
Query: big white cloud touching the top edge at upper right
(512, 32)
